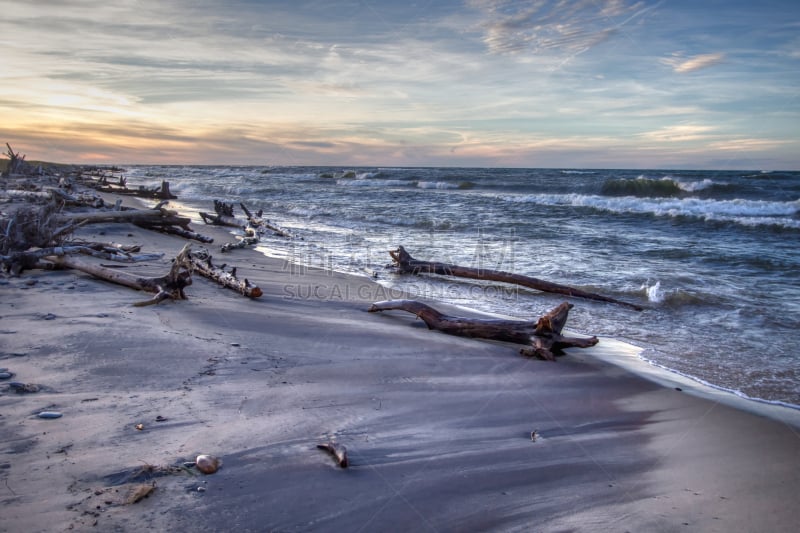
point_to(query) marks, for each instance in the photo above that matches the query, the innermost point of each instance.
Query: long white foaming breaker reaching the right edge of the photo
(737, 211)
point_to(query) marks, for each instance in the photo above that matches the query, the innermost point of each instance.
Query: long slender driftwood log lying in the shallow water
(407, 264)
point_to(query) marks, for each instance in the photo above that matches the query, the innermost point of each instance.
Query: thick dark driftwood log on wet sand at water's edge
(543, 338)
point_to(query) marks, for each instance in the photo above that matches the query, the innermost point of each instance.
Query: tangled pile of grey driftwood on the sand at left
(43, 207)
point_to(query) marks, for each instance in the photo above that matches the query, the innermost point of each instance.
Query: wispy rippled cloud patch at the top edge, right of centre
(571, 27)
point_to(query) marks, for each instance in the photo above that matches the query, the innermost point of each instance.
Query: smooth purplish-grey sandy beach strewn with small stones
(438, 428)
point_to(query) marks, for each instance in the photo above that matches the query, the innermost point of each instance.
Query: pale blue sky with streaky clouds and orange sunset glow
(492, 83)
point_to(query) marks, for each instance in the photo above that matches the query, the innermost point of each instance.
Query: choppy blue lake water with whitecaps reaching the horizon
(711, 255)
